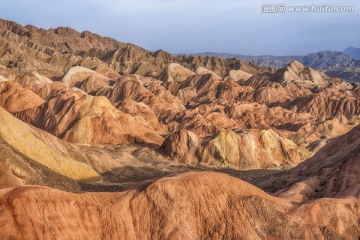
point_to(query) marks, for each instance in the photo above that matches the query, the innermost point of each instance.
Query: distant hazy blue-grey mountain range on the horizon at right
(345, 65)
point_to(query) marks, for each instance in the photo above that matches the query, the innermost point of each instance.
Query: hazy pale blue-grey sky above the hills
(188, 26)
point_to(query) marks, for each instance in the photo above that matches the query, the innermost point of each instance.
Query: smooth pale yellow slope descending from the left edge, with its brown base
(30, 156)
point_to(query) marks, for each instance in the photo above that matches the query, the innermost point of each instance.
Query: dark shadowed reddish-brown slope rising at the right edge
(331, 172)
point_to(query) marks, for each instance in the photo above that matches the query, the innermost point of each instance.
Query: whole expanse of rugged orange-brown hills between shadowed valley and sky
(88, 89)
